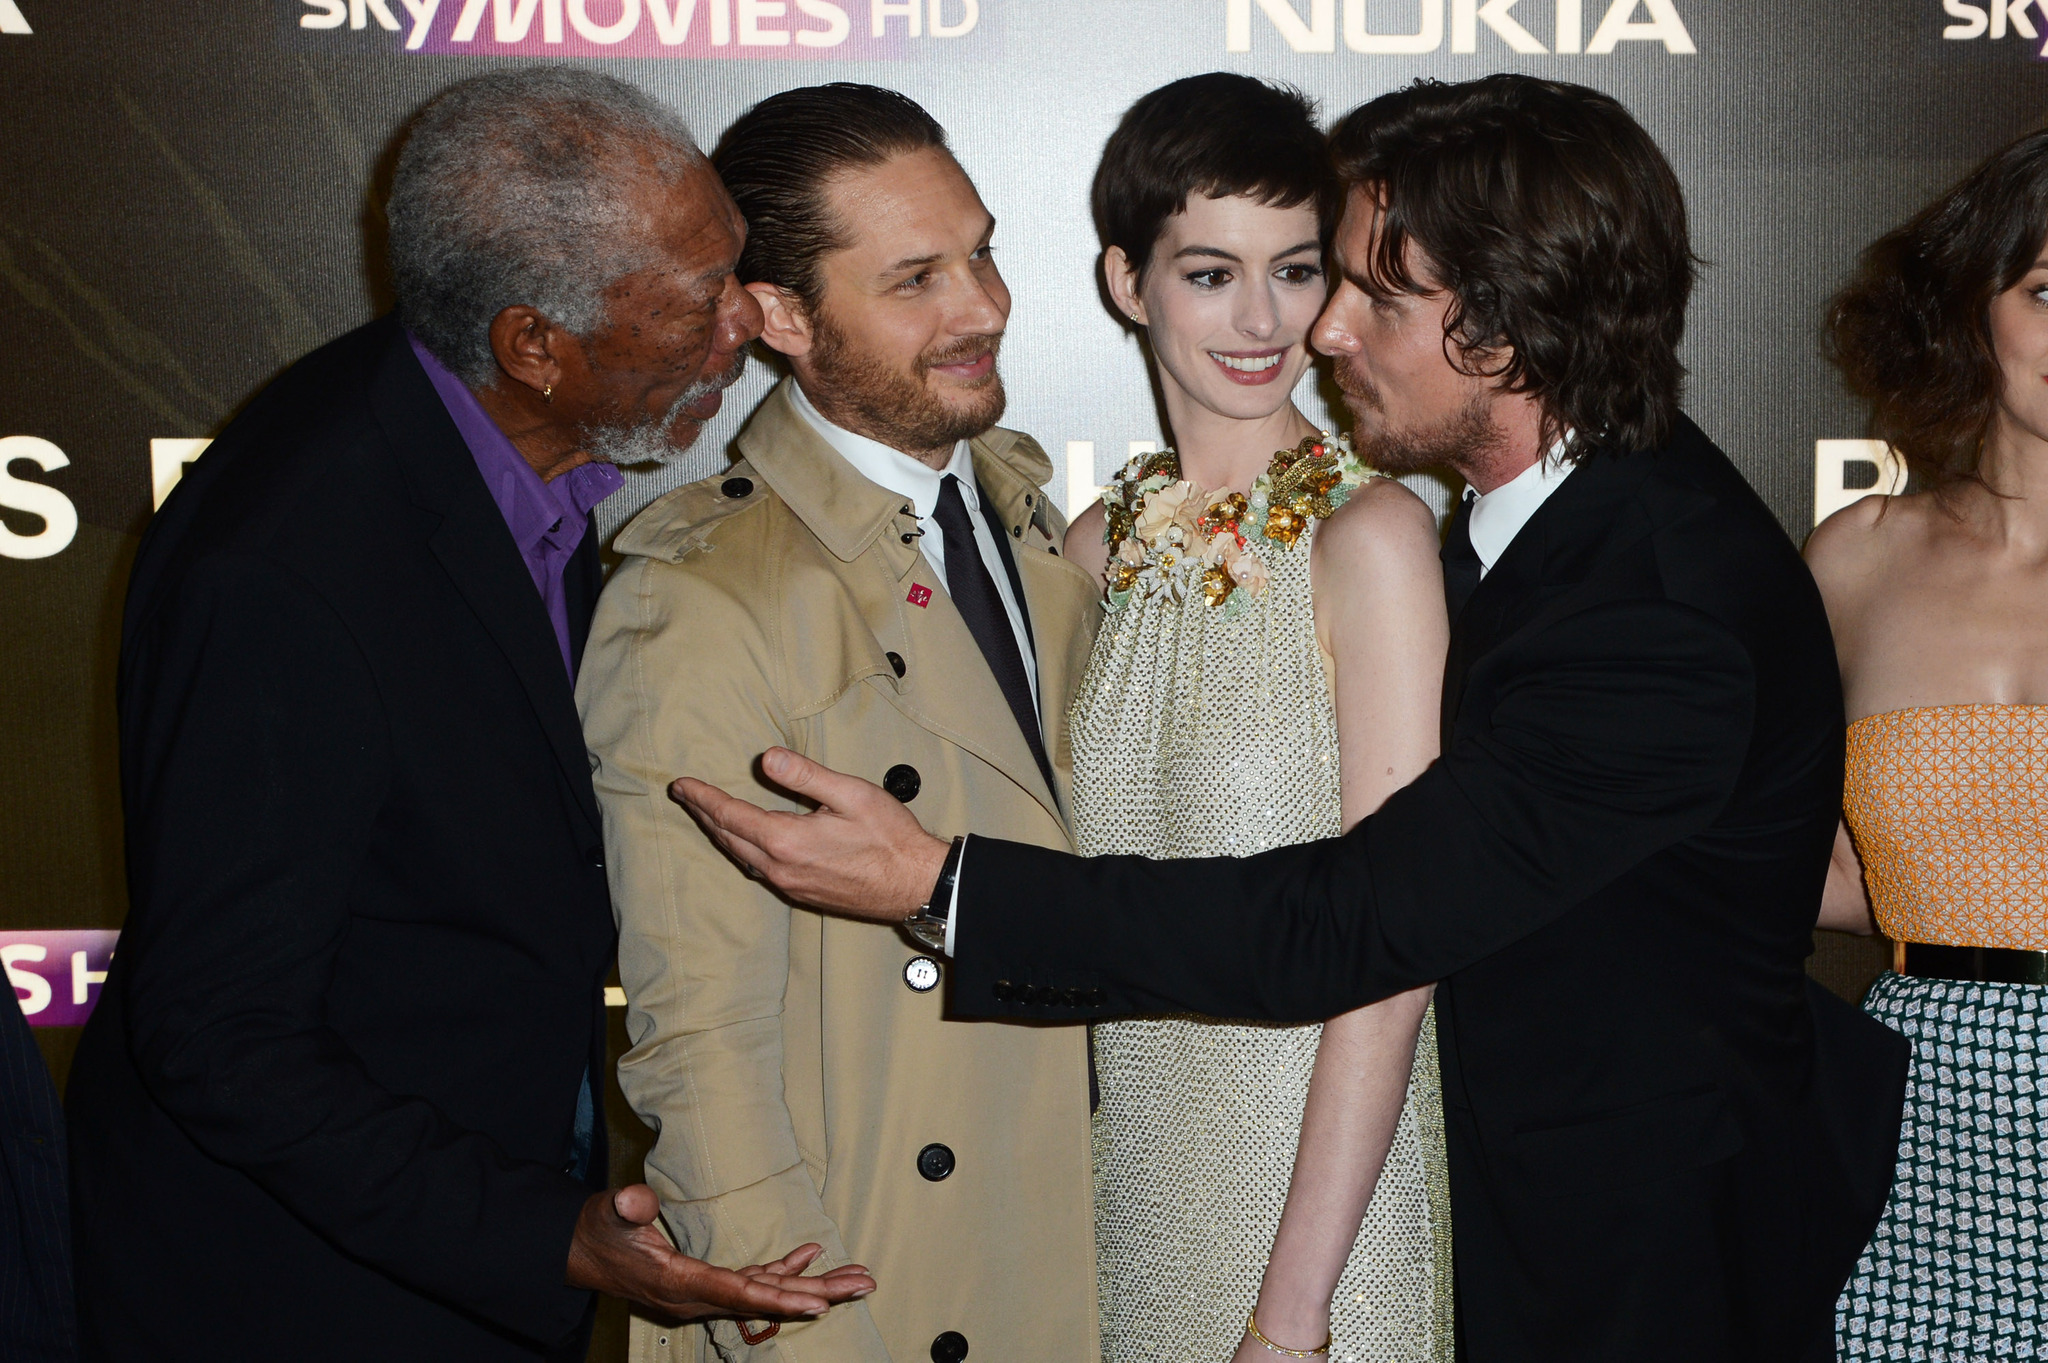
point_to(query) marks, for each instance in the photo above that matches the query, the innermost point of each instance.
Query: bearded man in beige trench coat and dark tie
(833, 592)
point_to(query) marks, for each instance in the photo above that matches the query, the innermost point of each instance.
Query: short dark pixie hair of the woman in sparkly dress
(1218, 136)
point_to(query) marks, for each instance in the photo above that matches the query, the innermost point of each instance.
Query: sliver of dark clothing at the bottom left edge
(38, 1319)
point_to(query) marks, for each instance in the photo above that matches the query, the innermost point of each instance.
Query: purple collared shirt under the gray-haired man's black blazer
(548, 521)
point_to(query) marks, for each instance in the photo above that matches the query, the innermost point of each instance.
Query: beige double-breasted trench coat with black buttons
(790, 1069)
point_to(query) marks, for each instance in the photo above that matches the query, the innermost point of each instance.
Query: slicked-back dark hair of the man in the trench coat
(779, 159)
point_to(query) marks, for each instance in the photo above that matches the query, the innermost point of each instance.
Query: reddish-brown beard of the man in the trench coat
(894, 406)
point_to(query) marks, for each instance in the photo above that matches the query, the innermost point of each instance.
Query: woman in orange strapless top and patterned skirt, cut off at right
(1940, 613)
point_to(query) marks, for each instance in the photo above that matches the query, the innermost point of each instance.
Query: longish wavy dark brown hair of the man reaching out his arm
(1560, 230)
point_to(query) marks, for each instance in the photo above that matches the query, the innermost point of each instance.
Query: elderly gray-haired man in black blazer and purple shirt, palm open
(341, 1096)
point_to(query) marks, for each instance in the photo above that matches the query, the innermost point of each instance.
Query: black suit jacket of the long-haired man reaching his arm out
(1664, 1141)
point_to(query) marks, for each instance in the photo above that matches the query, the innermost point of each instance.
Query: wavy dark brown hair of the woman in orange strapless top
(1912, 328)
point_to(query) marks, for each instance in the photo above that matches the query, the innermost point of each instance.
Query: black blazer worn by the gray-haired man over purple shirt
(325, 1106)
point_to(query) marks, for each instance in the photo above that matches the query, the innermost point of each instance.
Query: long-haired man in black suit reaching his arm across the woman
(1664, 1141)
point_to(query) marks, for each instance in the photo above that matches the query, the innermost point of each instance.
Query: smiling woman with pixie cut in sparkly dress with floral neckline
(1267, 674)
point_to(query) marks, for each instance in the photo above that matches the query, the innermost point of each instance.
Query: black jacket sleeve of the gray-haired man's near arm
(263, 779)
